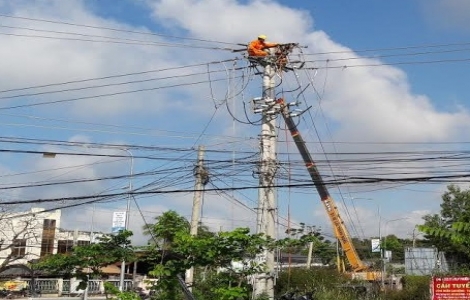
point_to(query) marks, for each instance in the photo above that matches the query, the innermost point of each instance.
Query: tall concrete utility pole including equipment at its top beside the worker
(269, 108)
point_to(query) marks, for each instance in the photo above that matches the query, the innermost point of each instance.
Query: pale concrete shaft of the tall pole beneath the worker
(267, 209)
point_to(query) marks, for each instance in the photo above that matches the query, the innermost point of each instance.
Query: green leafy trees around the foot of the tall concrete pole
(225, 259)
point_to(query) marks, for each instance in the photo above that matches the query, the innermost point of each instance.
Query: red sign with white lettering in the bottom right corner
(450, 288)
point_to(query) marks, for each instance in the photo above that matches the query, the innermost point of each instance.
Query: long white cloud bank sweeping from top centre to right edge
(377, 101)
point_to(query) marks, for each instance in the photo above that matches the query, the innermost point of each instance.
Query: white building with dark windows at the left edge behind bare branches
(26, 236)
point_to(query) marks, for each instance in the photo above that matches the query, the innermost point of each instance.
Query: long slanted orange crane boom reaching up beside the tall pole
(359, 270)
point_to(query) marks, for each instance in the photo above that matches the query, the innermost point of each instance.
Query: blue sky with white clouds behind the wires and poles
(409, 102)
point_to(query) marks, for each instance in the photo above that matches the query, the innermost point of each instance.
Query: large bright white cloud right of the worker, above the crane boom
(376, 103)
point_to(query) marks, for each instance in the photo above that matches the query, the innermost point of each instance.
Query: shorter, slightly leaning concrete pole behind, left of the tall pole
(202, 177)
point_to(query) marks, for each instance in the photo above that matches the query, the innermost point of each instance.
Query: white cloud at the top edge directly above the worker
(231, 21)
